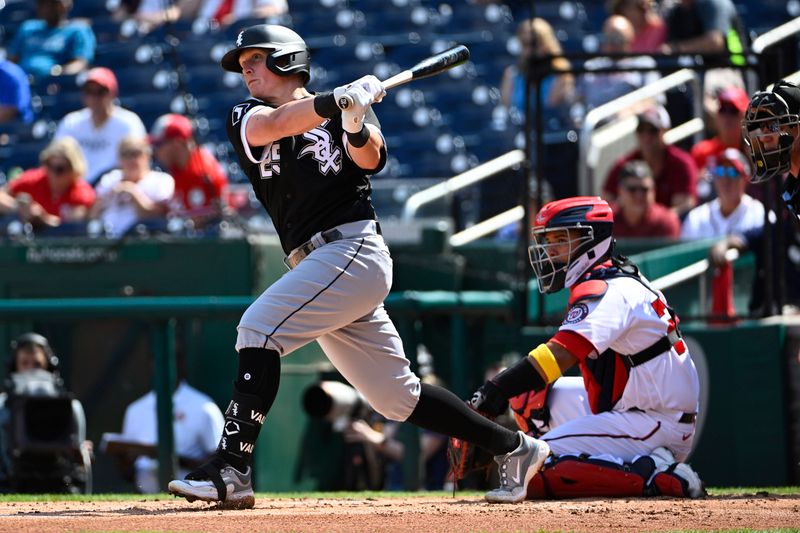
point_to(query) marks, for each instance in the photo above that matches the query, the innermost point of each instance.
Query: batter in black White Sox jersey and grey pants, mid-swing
(309, 165)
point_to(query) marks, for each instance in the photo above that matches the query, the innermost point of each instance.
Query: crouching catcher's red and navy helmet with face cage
(569, 237)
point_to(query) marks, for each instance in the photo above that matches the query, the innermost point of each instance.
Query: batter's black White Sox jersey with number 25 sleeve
(307, 183)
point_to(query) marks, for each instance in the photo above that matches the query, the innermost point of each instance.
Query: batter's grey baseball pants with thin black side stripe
(335, 296)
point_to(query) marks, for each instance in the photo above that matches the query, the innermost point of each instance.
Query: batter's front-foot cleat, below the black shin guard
(217, 481)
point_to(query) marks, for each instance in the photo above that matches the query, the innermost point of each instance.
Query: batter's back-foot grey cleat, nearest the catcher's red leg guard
(517, 468)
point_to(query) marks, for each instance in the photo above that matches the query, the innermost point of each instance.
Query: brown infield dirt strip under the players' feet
(424, 514)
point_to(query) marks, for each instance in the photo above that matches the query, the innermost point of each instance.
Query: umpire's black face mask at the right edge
(769, 130)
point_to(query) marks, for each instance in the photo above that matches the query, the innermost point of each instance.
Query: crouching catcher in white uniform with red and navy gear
(622, 429)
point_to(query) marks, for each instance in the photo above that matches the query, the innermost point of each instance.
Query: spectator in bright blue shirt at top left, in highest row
(52, 45)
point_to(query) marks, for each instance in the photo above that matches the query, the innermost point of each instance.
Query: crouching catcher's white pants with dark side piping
(623, 435)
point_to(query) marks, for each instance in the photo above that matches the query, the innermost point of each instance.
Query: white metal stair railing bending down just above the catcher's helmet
(586, 185)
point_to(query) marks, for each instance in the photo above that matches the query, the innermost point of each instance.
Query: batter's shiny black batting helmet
(289, 51)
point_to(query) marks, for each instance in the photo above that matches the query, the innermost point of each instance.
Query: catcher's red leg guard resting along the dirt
(581, 477)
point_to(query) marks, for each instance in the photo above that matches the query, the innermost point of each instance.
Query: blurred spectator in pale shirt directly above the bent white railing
(597, 89)
